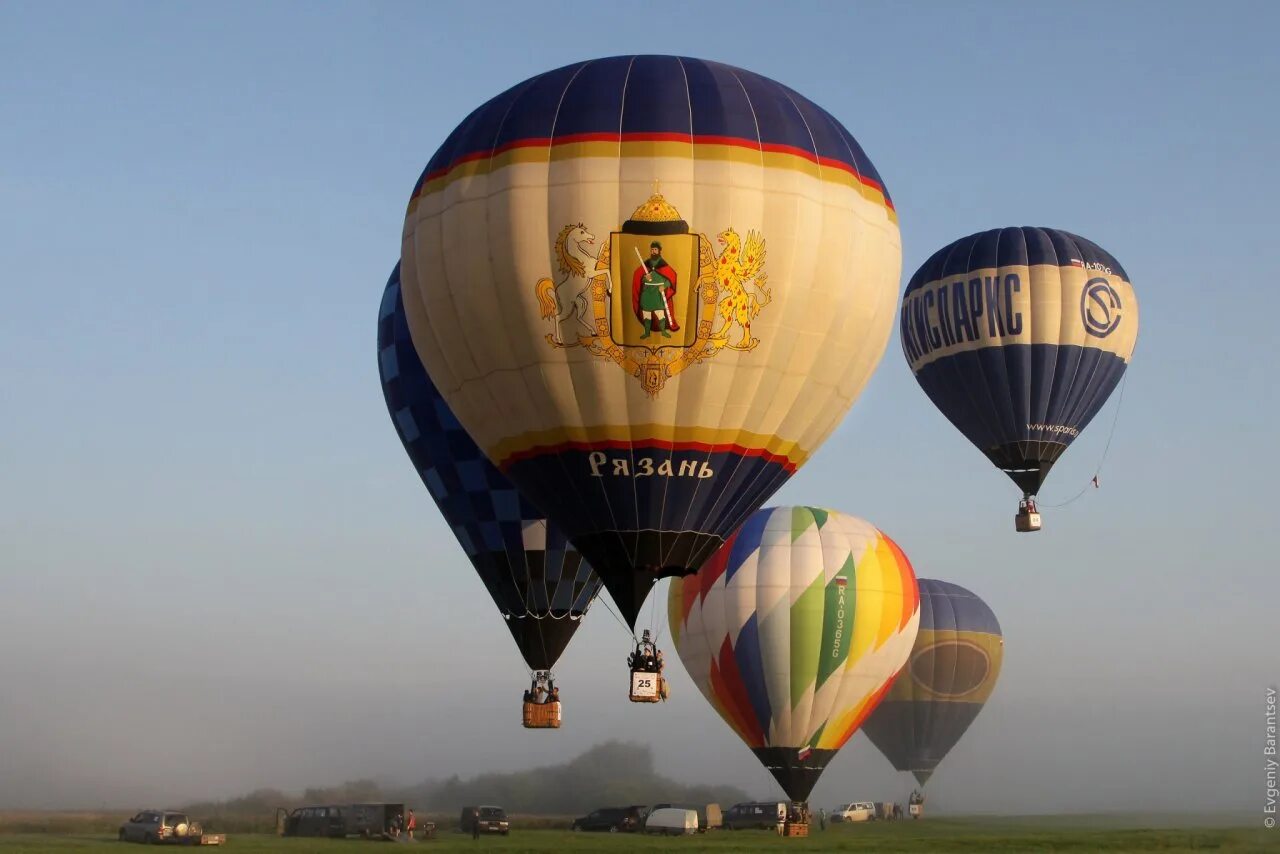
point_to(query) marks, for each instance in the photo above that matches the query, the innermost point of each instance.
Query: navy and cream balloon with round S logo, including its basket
(1020, 336)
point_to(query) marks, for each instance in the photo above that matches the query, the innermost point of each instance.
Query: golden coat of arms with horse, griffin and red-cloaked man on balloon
(656, 299)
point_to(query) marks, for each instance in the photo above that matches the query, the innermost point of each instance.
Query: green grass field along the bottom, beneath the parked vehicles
(1057, 834)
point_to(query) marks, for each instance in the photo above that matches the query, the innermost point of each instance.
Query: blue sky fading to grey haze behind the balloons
(199, 209)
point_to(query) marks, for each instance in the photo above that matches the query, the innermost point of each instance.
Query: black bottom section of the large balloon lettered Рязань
(655, 555)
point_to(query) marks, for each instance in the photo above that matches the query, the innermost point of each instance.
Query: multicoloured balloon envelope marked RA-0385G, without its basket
(794, 631)
